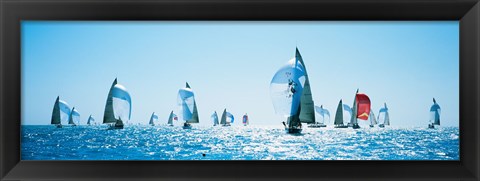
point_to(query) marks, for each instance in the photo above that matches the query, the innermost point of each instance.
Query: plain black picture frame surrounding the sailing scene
(12, 12)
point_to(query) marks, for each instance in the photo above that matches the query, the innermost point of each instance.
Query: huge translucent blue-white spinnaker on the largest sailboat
(286, 88)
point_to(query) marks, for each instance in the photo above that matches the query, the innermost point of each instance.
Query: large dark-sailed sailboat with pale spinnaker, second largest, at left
(118, 107)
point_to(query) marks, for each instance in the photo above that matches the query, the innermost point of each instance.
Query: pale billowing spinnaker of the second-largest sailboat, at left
(122, 103)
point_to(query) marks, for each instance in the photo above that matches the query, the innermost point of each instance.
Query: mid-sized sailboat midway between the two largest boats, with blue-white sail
(188, 106)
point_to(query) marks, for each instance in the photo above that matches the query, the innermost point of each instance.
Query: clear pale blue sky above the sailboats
(230, 65)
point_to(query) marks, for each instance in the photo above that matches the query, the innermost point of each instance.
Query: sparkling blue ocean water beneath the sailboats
(237, 143)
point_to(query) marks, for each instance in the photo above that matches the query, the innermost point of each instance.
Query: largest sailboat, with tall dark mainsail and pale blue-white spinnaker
(291, 94)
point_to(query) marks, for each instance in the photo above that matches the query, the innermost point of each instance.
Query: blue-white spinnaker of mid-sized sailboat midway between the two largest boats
(186, 102)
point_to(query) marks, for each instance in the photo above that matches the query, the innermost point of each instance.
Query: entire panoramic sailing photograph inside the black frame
(240, 90)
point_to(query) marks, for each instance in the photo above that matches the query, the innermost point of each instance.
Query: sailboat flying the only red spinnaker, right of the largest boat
(361, 109)
